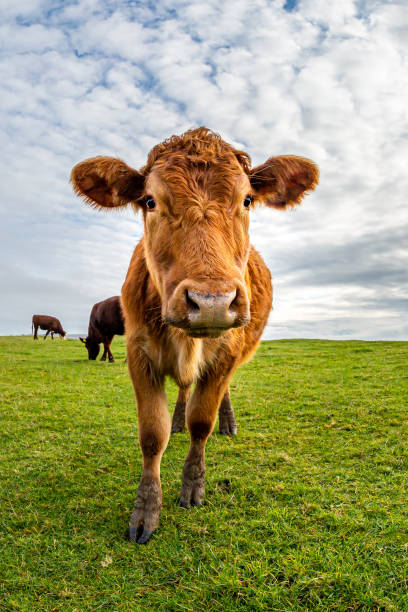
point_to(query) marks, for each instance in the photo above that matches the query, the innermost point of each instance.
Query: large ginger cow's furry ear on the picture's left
(107, 182)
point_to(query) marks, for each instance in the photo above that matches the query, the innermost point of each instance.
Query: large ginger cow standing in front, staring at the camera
(196, 296)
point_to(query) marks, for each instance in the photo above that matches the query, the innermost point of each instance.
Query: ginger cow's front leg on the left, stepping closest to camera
(154, 432)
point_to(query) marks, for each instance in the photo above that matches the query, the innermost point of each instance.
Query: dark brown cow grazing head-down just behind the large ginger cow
(105, 322)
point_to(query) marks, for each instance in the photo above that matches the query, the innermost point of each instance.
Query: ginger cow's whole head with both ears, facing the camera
(196, 192)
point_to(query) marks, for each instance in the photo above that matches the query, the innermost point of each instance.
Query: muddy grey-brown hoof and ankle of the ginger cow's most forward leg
(146, 513)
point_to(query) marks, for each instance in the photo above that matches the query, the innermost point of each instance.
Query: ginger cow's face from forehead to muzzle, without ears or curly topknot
(196, 242)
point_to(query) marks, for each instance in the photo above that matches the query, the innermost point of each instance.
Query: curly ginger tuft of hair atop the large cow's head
(199, 146)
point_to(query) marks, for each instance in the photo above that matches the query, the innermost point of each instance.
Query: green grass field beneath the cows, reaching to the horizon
(305, 509)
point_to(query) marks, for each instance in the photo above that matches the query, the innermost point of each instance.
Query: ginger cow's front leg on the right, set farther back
(201, 415)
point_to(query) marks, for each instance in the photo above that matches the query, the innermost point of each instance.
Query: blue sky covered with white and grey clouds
(326, 80)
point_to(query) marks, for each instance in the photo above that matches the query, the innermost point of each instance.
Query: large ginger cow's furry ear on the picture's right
(282, 181)
